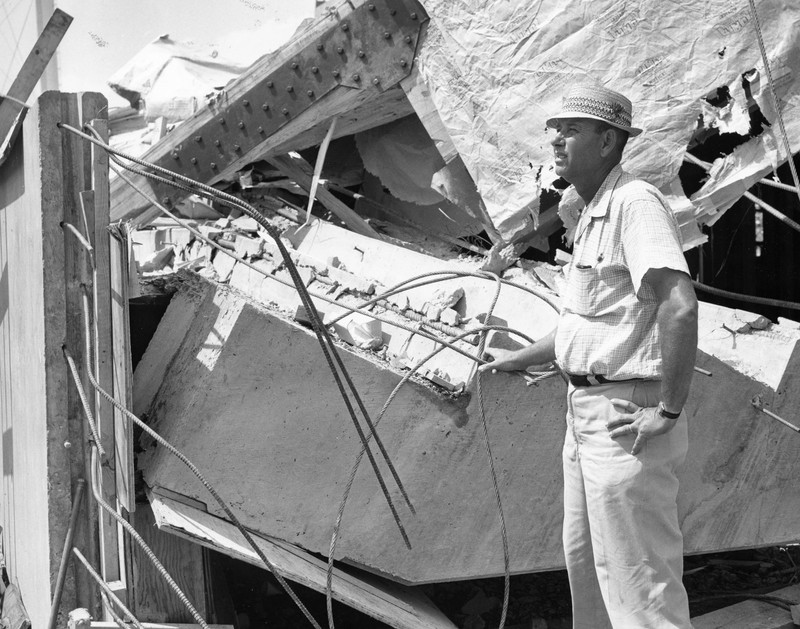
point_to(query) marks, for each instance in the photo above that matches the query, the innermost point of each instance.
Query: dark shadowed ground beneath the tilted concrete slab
(536, 601)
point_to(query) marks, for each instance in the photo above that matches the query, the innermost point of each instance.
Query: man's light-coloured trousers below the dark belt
(622, 542)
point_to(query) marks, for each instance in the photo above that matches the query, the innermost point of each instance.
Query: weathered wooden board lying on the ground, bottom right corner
(752, 614)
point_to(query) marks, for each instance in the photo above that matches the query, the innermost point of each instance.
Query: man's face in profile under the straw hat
(576, 148)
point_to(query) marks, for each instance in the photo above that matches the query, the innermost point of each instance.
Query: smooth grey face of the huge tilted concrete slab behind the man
(246, 393)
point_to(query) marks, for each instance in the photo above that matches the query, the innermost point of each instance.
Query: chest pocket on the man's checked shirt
(593, 291)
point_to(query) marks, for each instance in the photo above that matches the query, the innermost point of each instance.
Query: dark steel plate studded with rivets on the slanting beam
(372, 48)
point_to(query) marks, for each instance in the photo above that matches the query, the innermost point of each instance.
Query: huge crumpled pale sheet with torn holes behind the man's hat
(497, 70)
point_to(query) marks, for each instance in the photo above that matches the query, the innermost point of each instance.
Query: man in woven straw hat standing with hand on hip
(626, 339)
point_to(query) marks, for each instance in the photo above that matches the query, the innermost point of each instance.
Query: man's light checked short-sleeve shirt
(608, 320)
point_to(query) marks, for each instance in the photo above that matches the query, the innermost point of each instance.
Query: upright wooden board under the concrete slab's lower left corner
(154, 600)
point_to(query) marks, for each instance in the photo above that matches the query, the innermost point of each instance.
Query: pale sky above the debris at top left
(105, 34)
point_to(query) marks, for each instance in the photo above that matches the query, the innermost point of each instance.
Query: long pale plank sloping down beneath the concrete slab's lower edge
(397, 606)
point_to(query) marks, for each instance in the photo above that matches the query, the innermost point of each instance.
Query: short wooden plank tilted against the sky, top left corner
(12, 111)
